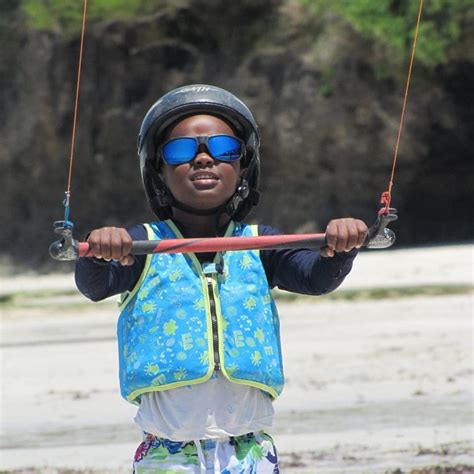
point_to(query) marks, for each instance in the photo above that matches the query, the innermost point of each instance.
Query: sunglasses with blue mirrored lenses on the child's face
(184, 149)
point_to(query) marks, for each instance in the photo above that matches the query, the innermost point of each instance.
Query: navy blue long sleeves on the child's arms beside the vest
(302, 271)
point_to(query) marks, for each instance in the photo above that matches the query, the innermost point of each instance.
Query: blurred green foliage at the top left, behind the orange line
(67, 14)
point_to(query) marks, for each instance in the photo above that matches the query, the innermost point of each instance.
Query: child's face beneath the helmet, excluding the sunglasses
(203, 183)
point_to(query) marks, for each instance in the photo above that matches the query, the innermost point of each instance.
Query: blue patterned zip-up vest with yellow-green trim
(169, 322)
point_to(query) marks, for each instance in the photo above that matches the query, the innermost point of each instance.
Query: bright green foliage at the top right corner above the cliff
(391, 24)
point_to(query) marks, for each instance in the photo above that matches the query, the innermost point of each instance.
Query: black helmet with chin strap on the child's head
(192, 100)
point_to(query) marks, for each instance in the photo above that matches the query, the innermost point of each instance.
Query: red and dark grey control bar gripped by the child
(68, 249)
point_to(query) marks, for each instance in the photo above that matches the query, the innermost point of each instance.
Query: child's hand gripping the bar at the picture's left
(111, 243)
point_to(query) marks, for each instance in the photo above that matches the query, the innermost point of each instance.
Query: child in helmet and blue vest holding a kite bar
(199, 344)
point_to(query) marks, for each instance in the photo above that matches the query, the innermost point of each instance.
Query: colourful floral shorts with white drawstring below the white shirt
(253, 453)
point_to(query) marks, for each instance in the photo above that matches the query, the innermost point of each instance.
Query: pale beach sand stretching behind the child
(373, 385)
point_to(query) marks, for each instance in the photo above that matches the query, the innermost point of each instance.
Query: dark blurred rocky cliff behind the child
(328, 121)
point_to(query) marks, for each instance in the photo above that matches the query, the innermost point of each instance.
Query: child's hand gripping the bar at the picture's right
(343, 235)
